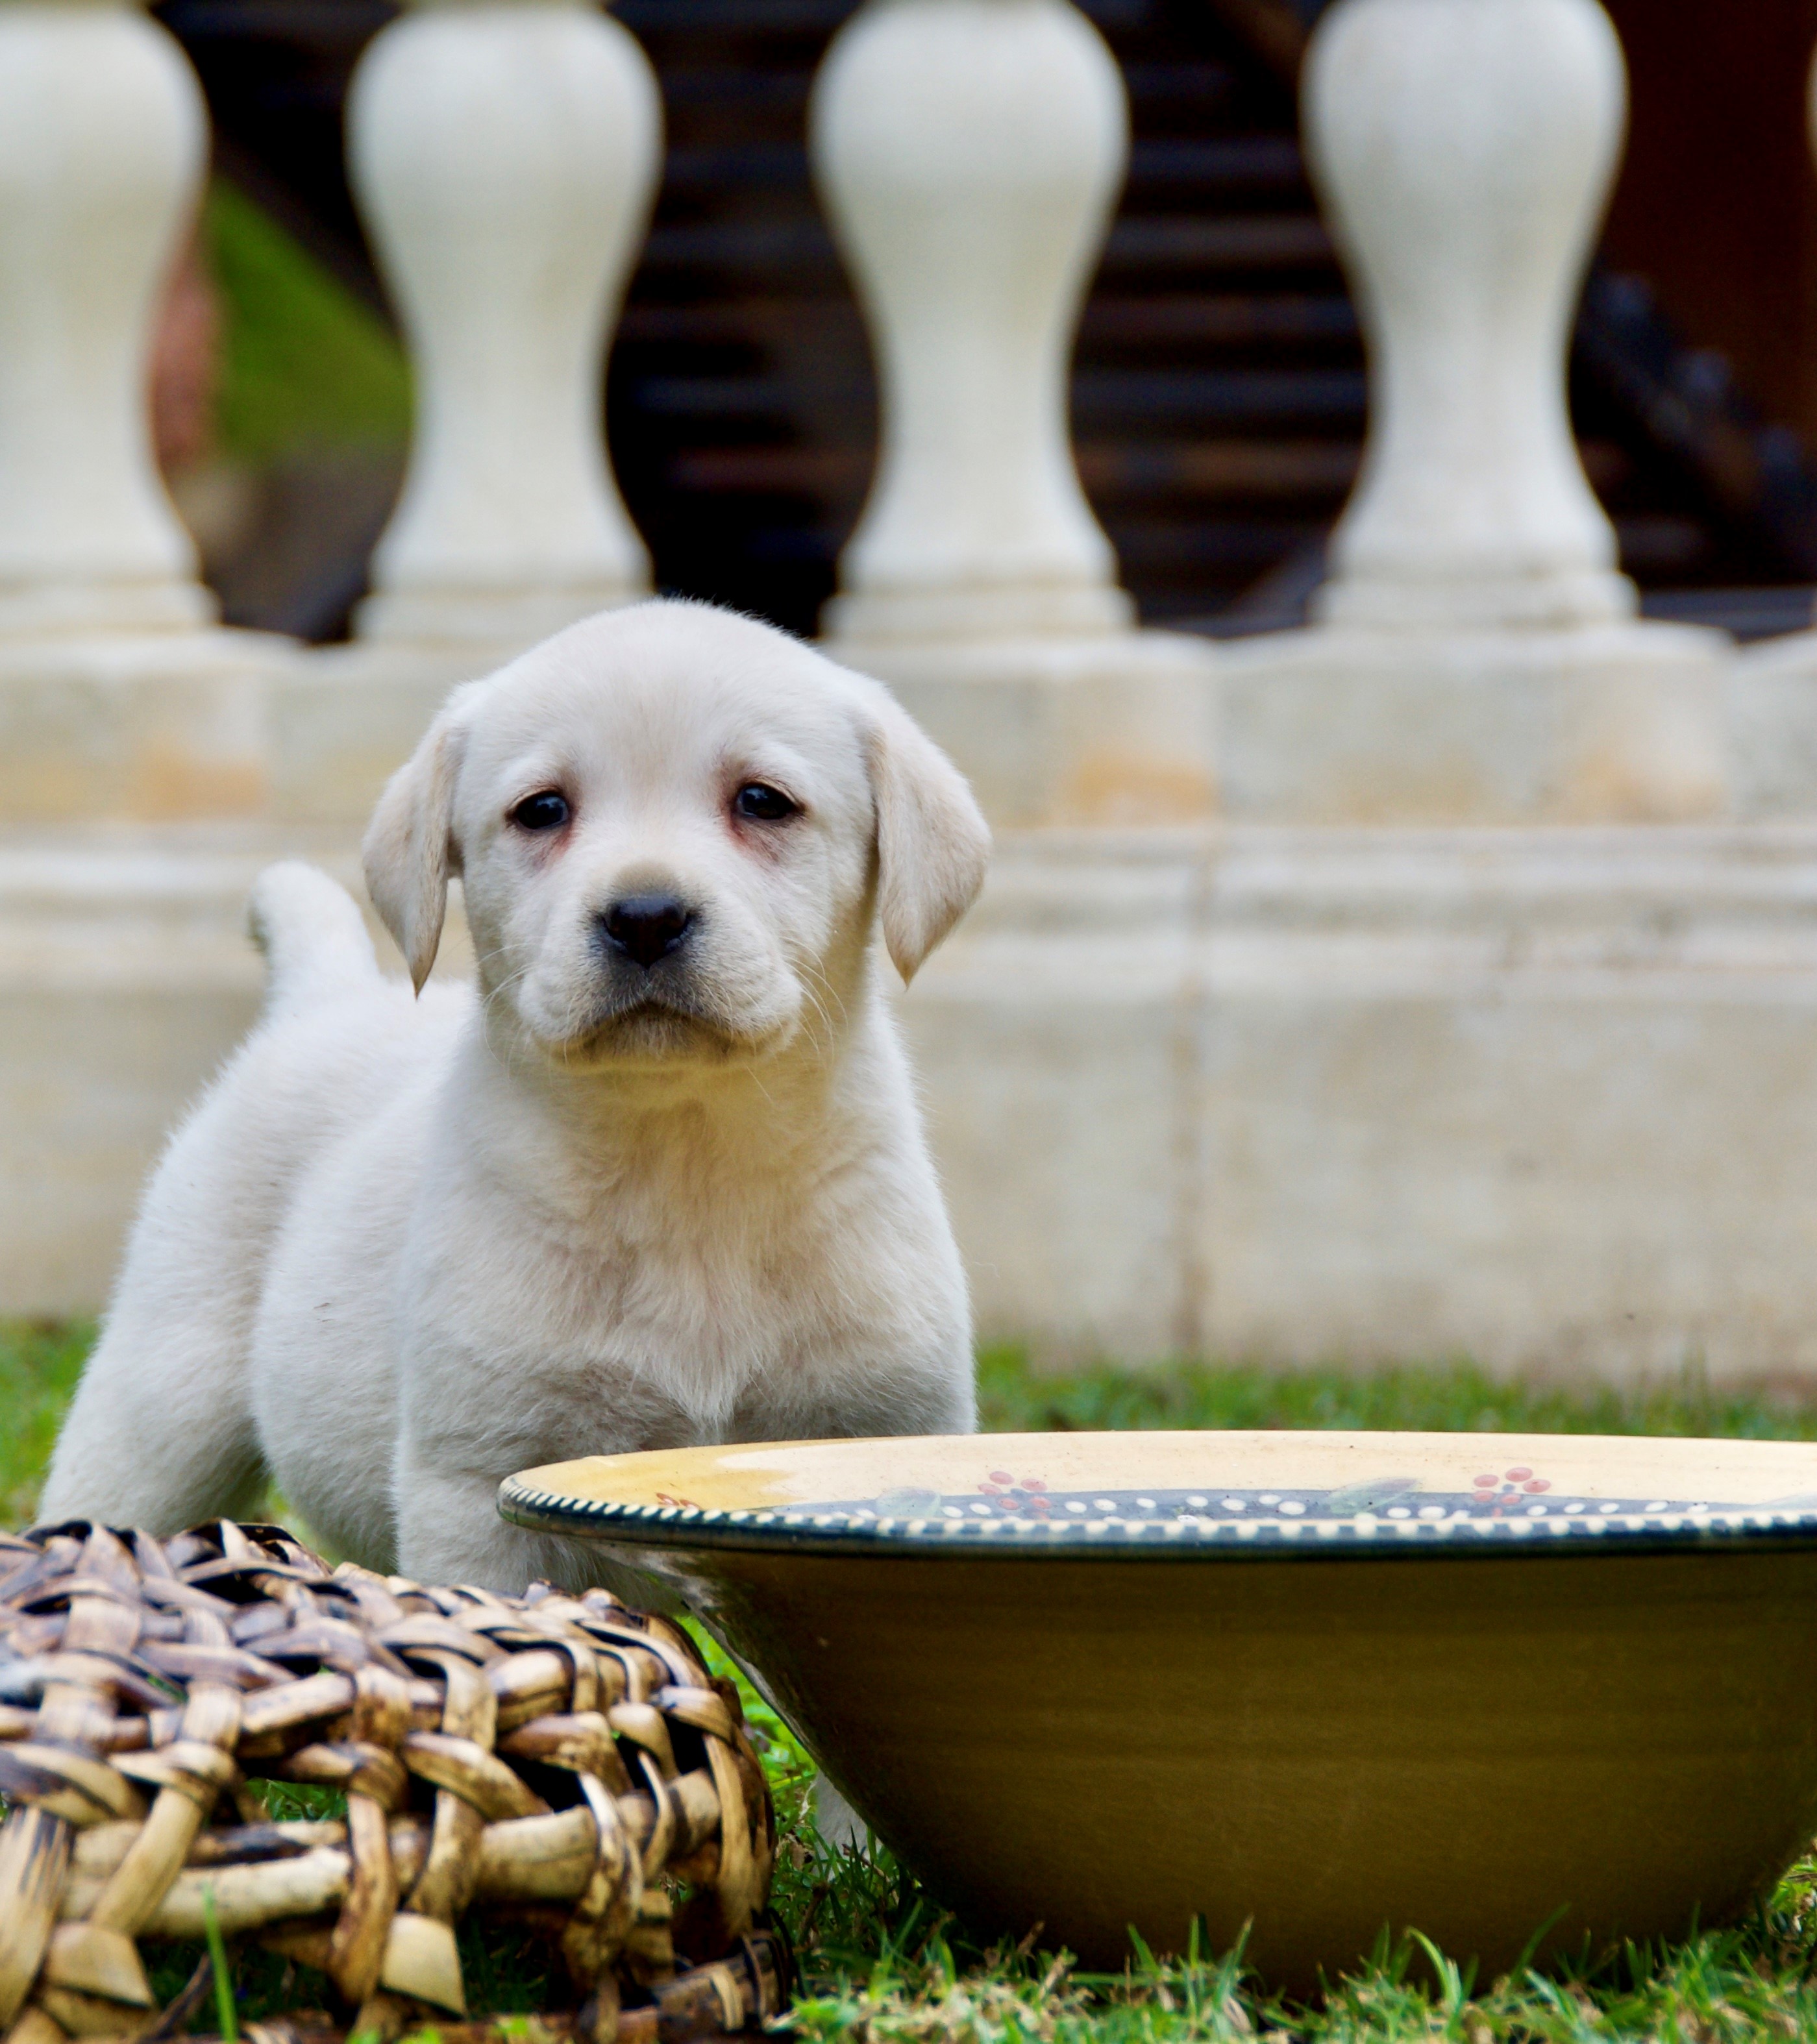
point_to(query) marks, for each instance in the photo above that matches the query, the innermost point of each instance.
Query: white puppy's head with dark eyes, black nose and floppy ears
(675, 831)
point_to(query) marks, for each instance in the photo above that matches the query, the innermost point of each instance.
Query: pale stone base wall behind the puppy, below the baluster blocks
(1538, 1097)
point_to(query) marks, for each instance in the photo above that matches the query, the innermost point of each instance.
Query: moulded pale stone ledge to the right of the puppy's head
(1730, 909)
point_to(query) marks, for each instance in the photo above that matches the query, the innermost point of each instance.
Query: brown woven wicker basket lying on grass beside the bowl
(555, 1761)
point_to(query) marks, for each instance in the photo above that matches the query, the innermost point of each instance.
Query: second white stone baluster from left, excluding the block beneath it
(506, 158)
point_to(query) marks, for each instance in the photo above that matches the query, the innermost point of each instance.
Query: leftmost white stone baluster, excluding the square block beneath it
(103, 140)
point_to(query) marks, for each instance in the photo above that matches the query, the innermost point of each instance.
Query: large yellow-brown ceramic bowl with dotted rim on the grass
(1315, 1683)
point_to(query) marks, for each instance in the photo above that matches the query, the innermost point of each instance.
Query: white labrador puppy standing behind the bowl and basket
(657, 1180)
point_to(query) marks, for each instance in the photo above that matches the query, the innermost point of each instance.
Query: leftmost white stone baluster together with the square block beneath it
(120, 696)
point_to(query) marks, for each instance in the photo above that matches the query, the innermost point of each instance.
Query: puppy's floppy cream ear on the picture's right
(933, 843)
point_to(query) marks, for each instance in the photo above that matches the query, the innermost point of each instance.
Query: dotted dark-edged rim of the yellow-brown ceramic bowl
(1346, 1526)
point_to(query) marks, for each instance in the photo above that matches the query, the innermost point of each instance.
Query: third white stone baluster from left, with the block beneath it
(970, 154)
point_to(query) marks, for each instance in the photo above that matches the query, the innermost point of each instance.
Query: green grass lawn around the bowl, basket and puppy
(884, 1965)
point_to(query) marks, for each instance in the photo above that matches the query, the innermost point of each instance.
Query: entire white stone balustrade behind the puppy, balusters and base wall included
(1325, 1001)
